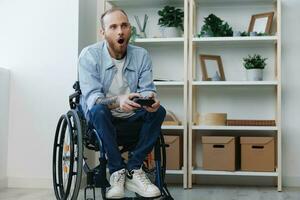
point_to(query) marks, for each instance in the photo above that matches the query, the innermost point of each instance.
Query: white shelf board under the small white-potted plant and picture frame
(235, 83)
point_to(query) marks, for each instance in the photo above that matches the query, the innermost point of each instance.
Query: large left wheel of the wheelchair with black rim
(67, 157)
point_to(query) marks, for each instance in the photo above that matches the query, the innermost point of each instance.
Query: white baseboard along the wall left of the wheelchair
(17, 182)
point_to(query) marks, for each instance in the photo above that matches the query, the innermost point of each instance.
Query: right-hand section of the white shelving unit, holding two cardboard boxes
(235, 96)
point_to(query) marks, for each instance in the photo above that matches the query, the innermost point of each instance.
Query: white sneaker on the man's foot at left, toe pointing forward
(117, 180)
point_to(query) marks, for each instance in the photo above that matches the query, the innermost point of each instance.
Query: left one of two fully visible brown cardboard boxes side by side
(219, 153)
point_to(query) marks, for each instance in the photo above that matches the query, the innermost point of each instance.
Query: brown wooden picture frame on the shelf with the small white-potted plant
(203, 59)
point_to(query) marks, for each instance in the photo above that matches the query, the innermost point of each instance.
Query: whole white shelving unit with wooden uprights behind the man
(183, 91)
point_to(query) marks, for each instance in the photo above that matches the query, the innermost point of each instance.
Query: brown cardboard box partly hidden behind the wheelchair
(174, 152)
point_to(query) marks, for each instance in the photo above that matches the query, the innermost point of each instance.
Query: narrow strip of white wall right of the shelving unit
(291, 95)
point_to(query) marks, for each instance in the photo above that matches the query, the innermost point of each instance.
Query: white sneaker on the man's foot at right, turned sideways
(138, 182)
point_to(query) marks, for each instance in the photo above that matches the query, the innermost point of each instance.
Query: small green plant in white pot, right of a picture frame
(254, 66)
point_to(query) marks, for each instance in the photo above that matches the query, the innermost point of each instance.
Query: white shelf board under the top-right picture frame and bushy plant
(235, 40)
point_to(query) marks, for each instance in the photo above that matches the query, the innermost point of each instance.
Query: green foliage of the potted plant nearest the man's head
(171, 17)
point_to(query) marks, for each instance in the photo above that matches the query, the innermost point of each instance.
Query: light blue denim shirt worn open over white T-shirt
(96, 72)
